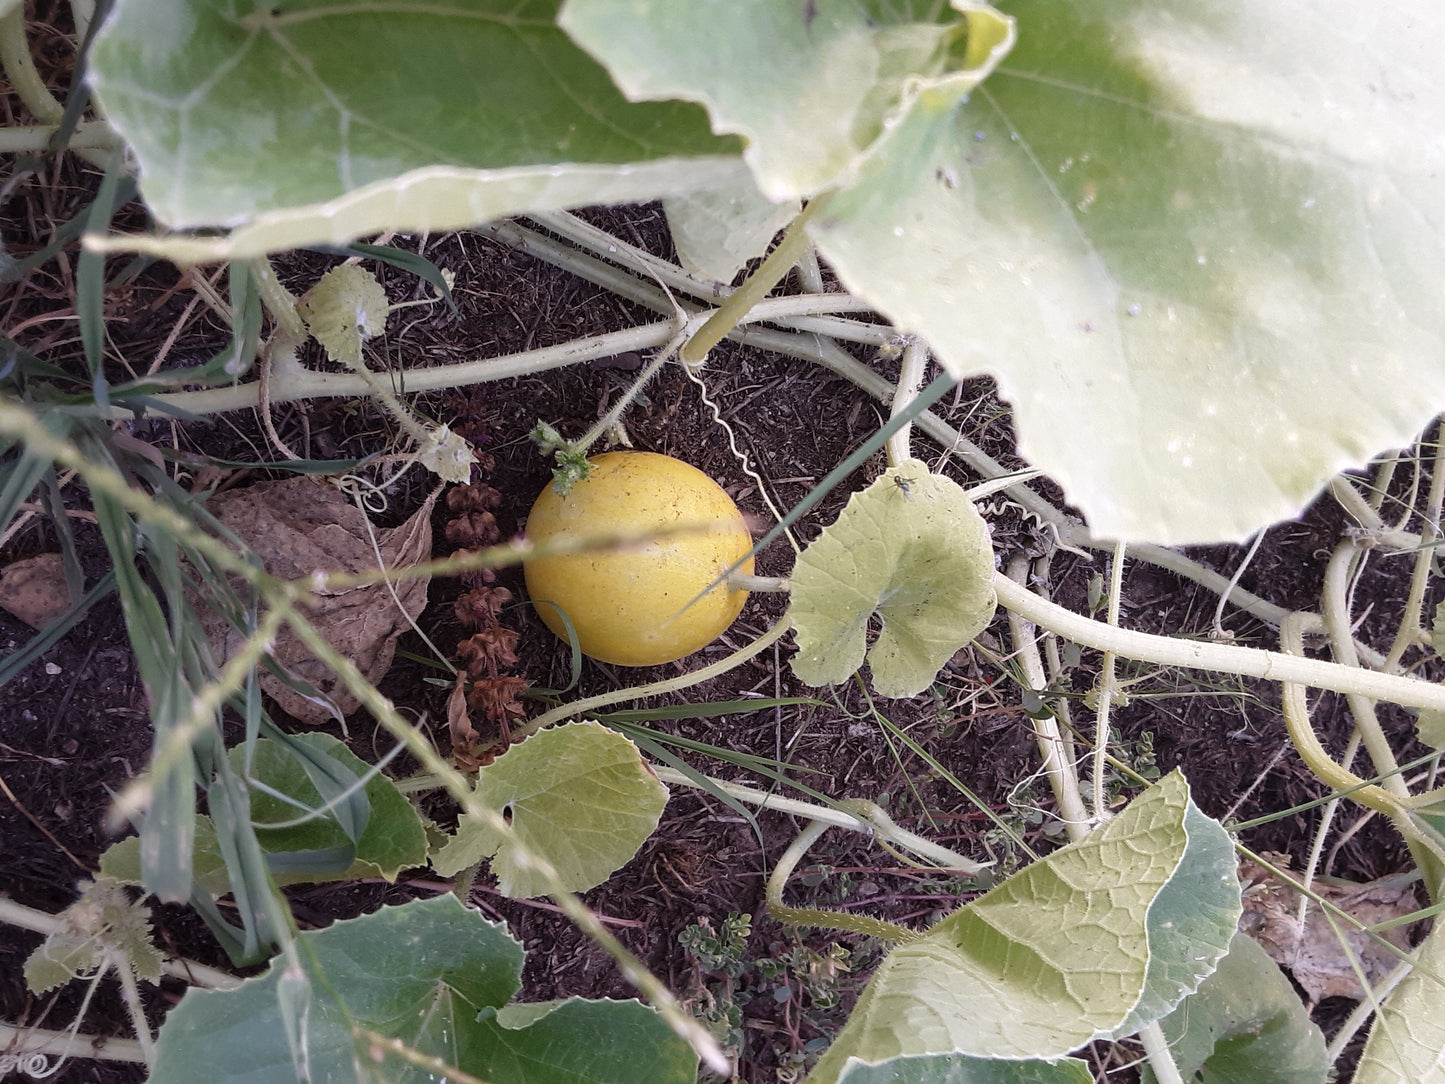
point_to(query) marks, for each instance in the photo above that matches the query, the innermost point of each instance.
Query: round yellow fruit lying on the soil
(631, 606)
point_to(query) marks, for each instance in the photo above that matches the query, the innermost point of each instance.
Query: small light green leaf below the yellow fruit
(579, 796)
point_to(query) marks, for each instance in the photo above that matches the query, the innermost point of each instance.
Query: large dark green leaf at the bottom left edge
(430, 975)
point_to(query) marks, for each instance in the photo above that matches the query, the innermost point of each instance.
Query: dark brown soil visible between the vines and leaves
(74, 725)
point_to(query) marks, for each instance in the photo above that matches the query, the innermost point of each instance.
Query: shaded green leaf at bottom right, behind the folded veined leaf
(1246, 1025)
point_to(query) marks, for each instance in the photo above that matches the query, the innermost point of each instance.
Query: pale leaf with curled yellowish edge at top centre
(810, 87)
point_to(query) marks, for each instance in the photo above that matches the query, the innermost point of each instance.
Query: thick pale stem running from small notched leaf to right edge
(1223, 658)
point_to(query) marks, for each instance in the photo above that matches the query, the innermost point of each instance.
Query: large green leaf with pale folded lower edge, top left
(322, 121)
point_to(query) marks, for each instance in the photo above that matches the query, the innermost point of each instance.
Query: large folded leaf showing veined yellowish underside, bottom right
(1071, 949)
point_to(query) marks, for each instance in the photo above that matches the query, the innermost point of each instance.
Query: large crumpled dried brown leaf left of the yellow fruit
(304, 525)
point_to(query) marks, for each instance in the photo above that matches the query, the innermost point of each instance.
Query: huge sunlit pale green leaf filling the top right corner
(1199, 245)
